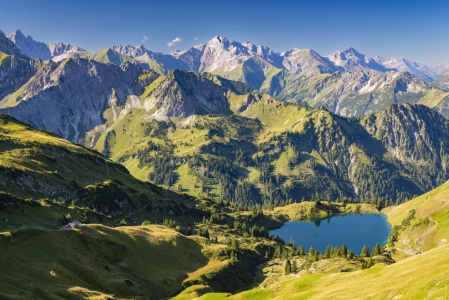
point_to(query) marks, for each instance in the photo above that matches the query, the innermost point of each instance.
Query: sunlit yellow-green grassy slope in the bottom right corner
(419, 277)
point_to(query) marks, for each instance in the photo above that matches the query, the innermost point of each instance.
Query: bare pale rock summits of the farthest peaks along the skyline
(220, 54)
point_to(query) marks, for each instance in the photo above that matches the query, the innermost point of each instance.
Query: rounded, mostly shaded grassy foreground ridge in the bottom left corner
(124, 262)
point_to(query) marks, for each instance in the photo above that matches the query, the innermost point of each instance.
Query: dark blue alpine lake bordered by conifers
(352, 230)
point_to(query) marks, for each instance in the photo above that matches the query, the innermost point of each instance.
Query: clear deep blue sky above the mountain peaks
(415, 30)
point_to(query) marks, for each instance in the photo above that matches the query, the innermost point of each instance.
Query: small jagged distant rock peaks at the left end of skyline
(44, 51)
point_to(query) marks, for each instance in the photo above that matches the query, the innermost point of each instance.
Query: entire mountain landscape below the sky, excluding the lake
(132, 174)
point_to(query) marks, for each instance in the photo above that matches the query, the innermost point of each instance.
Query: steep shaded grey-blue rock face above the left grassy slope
(69, 98)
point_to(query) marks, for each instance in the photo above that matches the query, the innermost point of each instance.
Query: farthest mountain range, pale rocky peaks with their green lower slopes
(345, 82)
